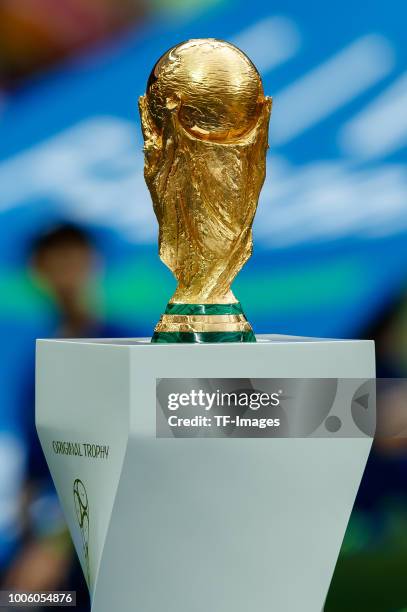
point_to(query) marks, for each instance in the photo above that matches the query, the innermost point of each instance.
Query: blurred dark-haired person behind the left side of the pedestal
(63, 261)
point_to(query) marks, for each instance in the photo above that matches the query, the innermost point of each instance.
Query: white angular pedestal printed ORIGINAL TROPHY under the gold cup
(198, 524)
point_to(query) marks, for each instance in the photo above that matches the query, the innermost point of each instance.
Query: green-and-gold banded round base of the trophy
(203, 323)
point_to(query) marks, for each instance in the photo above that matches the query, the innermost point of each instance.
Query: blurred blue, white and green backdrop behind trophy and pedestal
(78, 252)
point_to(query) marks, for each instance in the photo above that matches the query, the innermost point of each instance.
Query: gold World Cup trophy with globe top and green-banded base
(205, 126)
